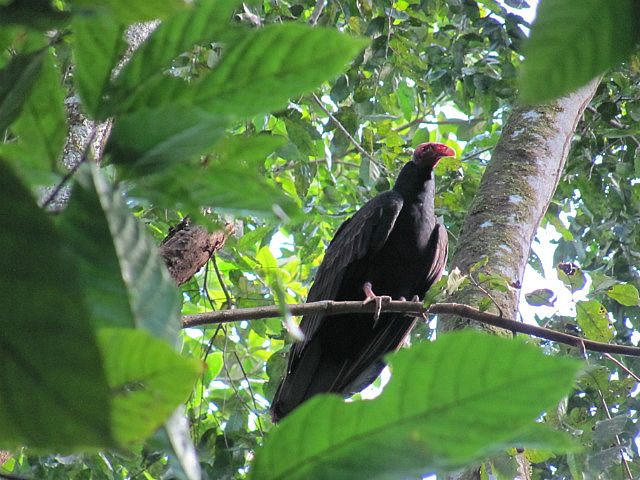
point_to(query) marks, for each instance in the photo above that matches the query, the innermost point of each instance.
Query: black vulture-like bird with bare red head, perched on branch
(391, 248)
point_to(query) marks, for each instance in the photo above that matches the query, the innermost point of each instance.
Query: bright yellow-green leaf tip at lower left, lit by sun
(147, 378)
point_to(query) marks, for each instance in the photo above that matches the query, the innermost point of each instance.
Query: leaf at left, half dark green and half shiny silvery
(125, 282)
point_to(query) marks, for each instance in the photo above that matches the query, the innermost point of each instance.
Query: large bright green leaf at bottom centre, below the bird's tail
(451, 402)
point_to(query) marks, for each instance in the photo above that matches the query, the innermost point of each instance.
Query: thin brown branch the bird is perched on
(330, 307)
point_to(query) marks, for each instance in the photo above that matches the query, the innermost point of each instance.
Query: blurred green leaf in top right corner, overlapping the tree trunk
(573, 41)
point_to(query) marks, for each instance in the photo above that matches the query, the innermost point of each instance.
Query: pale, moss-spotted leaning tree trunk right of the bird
(513, 196)
